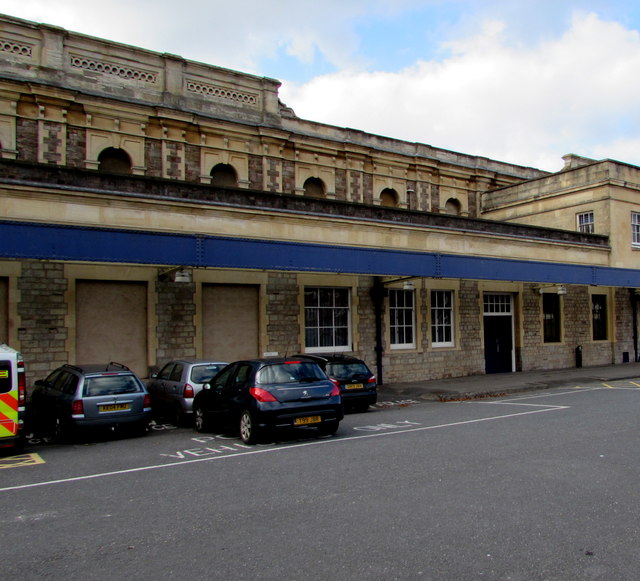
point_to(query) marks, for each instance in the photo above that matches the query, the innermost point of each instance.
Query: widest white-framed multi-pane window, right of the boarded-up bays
(327, 319)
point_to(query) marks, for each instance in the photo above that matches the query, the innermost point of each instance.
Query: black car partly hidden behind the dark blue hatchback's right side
(358, 385)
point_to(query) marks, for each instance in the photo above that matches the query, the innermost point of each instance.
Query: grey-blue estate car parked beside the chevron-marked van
(90, 396)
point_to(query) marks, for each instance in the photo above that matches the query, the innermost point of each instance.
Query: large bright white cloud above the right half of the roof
(527, 105)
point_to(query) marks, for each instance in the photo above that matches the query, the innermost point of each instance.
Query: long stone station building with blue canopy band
(154, 207)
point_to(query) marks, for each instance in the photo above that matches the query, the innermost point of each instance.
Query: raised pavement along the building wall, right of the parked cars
(500, 384)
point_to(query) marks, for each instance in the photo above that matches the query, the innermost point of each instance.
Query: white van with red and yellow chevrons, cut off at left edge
(12, 398)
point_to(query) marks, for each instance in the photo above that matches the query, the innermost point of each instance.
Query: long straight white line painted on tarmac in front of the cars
(277, 449)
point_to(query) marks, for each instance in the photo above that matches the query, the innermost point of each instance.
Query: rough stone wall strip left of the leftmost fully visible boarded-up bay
(42, 311)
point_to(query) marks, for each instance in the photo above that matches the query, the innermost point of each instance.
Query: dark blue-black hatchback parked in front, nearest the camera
(261, 395)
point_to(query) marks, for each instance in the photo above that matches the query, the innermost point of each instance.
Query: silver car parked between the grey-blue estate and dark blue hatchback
(173, 388)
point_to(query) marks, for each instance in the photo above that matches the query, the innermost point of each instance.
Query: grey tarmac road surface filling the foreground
(540, 485)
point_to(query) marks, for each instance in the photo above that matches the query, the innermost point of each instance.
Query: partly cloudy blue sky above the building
(519, 81)
